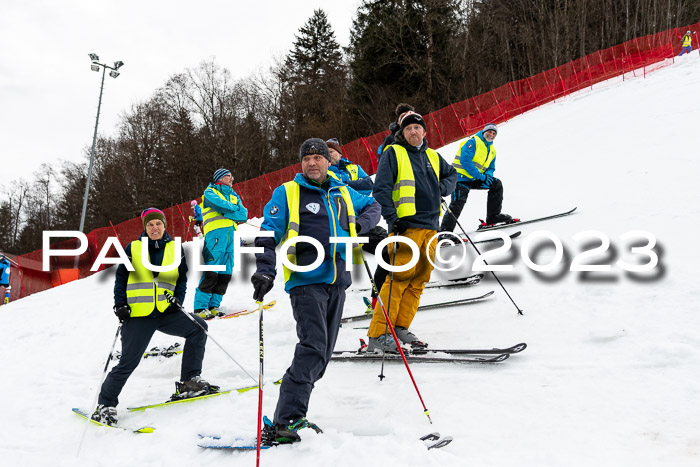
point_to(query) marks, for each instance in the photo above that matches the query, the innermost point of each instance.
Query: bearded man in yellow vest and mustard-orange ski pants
(410, 183)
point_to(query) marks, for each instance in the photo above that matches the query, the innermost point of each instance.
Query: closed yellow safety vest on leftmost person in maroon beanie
(143, 292)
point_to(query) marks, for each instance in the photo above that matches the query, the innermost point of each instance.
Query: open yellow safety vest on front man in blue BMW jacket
(293, 200)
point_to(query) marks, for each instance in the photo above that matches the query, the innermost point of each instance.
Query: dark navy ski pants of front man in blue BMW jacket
(317, 309)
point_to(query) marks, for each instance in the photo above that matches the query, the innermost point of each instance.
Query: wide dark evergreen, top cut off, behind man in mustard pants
(401, 50)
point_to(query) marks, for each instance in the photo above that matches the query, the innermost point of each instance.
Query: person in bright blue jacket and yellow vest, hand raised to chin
(475, 163)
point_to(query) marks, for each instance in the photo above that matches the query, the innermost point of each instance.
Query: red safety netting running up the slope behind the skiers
(636, 57)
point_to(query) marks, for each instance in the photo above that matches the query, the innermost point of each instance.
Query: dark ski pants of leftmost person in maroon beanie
(137, 333)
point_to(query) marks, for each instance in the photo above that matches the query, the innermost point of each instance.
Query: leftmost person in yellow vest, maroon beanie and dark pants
(141, 307)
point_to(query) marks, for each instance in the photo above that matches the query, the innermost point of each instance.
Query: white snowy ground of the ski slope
(609, 377)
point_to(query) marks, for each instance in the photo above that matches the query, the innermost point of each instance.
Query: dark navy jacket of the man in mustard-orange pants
(429, 191)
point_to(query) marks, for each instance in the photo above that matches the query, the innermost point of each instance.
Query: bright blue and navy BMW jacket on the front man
(318, 220)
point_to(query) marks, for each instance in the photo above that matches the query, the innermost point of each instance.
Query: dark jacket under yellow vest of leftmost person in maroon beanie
(156, 250)
